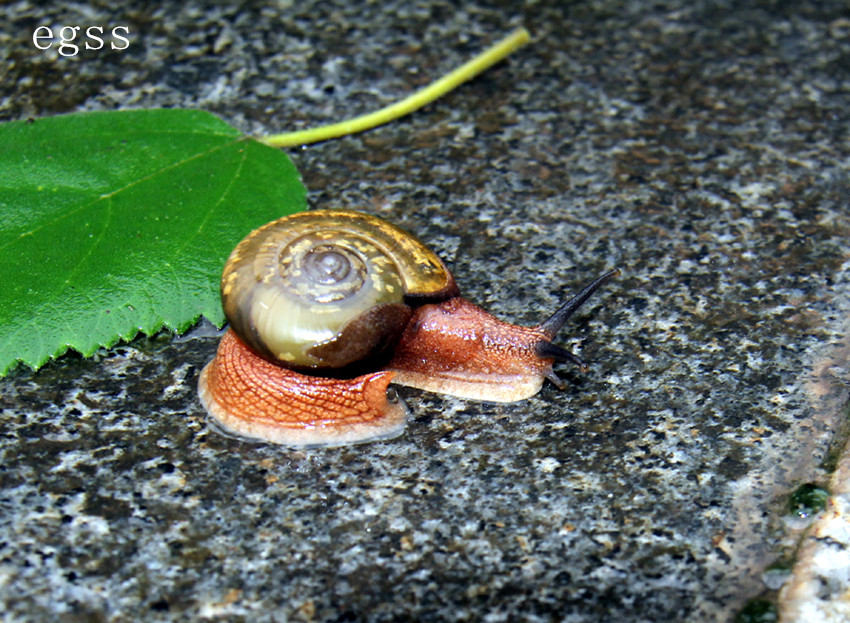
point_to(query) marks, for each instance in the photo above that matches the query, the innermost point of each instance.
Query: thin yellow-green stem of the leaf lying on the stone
(417, 100)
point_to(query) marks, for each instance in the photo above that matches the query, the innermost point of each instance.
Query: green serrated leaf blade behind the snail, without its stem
(120, 222)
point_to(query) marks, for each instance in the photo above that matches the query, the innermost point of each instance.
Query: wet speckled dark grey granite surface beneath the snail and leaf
(700, 146)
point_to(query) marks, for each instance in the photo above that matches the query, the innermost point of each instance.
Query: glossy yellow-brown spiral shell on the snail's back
(328, 288)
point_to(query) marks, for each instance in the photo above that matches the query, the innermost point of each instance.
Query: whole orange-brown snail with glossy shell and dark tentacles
(327, 307)
